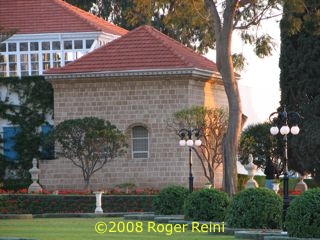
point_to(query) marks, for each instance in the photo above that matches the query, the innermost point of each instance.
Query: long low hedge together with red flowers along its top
(117, 199)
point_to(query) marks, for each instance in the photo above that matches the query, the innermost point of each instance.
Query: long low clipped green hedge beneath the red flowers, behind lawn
(38, 204)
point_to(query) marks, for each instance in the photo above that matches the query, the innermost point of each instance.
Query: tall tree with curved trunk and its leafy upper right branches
(226, 17)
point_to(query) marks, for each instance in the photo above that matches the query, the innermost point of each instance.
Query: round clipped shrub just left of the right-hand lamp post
(255, 208)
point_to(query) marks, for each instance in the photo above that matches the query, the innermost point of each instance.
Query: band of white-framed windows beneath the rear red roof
(32, 54)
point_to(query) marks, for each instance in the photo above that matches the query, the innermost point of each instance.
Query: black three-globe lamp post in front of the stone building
(186, 140)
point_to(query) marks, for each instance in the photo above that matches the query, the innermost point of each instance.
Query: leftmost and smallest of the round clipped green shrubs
(170, 200)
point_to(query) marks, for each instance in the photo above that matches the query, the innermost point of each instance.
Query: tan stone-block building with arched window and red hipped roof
(137, 82)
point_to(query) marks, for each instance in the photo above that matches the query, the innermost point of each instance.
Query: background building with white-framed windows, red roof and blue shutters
(47, 34)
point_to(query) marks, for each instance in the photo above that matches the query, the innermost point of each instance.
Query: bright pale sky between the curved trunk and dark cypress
(259, 83)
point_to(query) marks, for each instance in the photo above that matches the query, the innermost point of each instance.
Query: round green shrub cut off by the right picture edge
(303, 215)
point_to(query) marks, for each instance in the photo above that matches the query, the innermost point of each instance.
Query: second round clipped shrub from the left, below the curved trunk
(206, 205)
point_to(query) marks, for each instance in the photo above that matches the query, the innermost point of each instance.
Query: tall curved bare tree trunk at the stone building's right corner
(225, 67)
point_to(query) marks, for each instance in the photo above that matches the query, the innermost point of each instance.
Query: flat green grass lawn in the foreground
(84, 228)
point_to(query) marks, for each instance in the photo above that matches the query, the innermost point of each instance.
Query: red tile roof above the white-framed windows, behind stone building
(51, 16)
